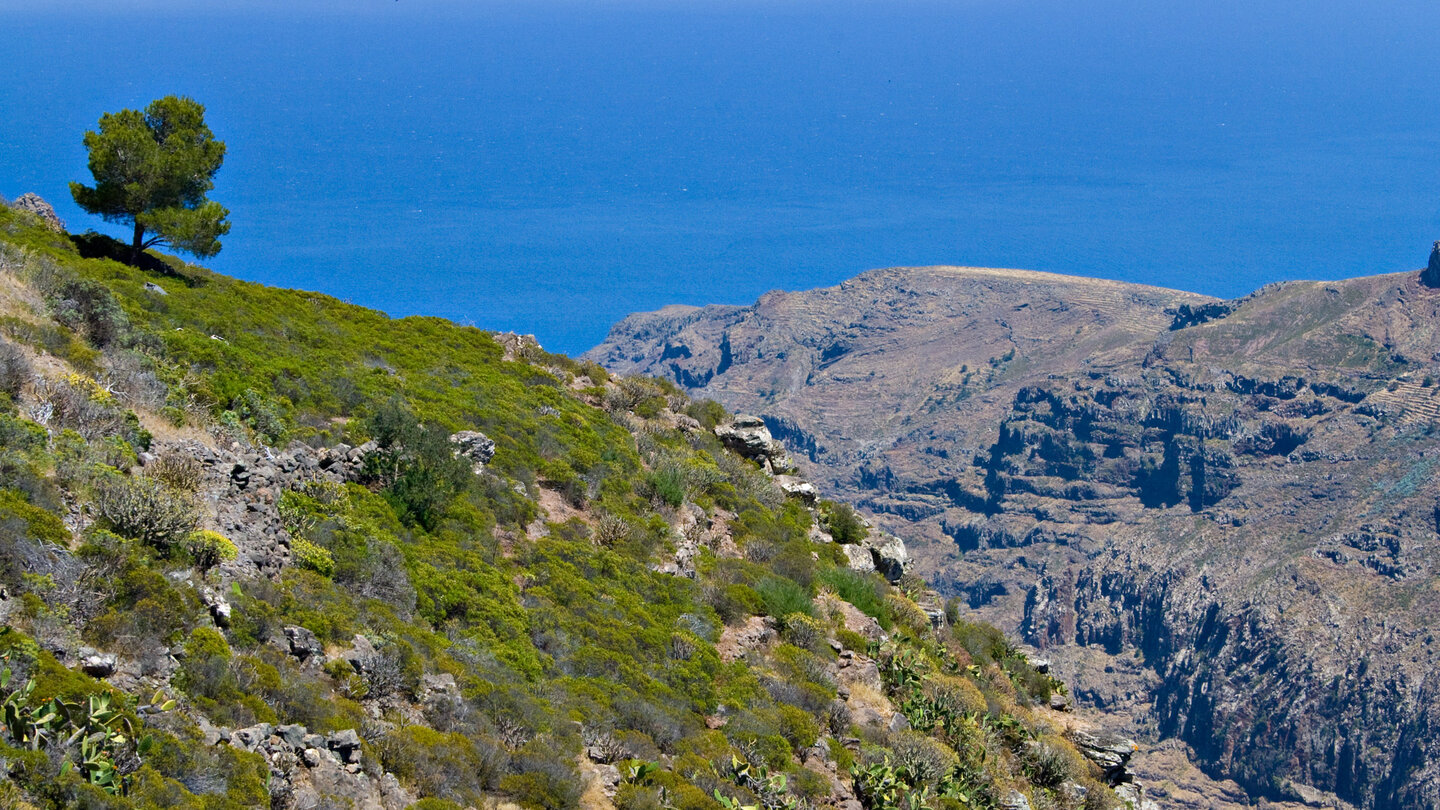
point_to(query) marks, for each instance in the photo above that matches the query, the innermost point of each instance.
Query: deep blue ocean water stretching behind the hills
(549, 166)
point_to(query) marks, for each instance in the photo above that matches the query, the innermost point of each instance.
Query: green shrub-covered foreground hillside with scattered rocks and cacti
(508, 635)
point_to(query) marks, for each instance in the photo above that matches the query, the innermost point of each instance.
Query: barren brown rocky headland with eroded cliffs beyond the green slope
(1239, 494)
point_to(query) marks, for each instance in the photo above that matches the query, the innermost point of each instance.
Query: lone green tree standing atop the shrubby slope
(153, 171)
